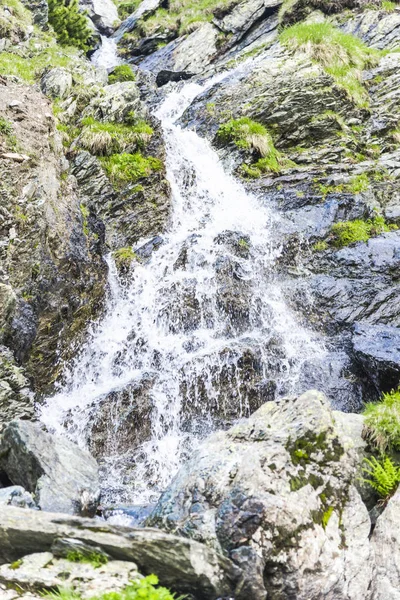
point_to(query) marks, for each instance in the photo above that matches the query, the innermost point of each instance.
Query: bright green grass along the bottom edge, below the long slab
(142, 589)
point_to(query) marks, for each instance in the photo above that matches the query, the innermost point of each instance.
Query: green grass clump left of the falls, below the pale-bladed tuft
(128, 168)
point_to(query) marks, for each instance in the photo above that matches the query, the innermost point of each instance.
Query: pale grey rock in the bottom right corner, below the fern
(385, 542)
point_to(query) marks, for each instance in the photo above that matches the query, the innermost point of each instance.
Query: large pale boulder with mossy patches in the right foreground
(275, 493)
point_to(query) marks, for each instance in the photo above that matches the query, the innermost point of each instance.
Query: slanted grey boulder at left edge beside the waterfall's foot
(62, 477)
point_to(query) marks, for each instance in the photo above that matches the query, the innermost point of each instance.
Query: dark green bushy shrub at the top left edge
(70, 25)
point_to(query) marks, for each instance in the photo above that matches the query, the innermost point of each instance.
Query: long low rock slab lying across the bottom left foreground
(183, 565)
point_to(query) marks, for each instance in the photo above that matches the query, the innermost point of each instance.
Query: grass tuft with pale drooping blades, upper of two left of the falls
(103, 139)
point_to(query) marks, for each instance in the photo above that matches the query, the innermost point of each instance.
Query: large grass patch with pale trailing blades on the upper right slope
(342, 55)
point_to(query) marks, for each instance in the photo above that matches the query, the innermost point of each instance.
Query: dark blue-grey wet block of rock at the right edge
(377, 348)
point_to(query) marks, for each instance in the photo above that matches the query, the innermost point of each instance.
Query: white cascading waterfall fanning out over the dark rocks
(199, 336)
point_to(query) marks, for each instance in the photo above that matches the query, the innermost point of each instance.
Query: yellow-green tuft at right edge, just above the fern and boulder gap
(382, 421)
